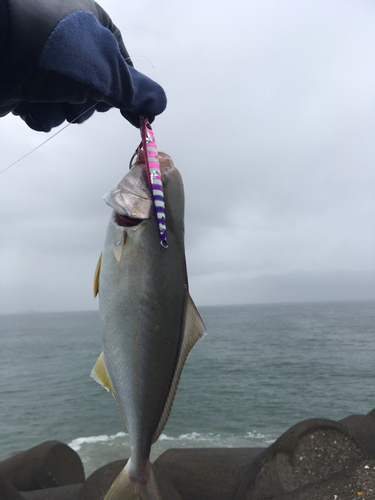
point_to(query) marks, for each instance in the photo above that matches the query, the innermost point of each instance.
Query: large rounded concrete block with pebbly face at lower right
(305, 454)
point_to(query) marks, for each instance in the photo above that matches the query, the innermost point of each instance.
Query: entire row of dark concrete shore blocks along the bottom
(315, 459)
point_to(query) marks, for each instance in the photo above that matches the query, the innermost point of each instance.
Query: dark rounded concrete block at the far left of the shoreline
(47, 465)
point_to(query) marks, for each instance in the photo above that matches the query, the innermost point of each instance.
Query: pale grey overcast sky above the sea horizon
(271, 122)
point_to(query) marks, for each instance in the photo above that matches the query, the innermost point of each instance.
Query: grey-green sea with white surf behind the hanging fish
(259, 370)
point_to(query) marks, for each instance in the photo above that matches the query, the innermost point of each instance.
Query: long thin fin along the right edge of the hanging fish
(194, 329)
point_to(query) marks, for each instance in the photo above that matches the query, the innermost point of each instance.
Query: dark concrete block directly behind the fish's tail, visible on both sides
(97, 485)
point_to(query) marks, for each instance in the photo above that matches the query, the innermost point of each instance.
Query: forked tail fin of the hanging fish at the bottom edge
(132, 488)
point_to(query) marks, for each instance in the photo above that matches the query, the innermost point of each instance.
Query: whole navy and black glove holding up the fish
(63, 58)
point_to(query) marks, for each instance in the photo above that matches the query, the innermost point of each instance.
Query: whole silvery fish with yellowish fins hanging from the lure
(150, 323)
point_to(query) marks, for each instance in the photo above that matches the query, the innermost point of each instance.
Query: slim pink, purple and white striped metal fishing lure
(156, 185)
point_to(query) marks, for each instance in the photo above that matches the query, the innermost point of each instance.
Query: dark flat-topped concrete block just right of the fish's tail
(206, 473)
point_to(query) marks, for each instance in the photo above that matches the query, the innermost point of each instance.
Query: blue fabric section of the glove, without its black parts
(102, 69)
